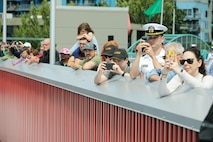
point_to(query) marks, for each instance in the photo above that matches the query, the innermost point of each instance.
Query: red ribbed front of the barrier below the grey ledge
(32, 111)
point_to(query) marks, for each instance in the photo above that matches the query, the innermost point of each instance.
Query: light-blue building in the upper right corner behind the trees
(197, 16)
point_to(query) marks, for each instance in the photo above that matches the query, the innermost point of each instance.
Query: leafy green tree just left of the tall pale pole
(32, 27)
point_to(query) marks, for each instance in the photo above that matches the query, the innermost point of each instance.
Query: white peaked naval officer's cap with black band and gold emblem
(154, 29)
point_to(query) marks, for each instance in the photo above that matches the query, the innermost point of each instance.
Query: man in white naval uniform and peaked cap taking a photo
(151, 53)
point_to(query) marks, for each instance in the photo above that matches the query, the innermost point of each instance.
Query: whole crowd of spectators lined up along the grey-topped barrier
(168, 63)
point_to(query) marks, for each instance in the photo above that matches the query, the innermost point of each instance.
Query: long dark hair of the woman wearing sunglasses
(196, 51)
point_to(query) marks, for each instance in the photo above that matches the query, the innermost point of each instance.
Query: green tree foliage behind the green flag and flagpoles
(137, 8)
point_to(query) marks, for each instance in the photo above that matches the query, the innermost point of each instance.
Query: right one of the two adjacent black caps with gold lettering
(120, 54)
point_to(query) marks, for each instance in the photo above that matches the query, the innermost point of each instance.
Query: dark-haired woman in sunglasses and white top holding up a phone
(193, 73)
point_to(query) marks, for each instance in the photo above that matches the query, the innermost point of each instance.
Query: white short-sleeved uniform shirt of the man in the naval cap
(146, 63)
